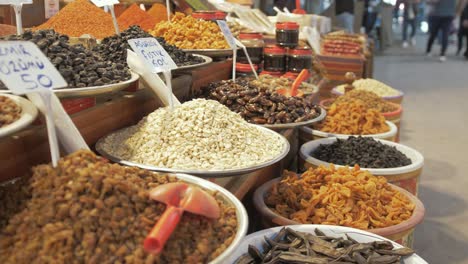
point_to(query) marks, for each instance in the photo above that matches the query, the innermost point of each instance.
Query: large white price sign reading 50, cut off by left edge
(25, 69)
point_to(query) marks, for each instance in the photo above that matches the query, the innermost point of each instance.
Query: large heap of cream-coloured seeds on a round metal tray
(199, 135)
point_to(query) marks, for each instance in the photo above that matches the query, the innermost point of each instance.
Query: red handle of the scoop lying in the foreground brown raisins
(157, 238)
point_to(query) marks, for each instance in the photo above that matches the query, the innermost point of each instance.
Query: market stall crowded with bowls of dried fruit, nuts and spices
(177, 139)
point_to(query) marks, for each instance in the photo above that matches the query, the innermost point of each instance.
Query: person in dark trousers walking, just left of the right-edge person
(441, 17)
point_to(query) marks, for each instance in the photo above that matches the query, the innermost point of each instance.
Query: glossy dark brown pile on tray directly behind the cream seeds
(261, 104)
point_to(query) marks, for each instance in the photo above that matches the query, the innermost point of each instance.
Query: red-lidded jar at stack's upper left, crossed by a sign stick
(254, 43)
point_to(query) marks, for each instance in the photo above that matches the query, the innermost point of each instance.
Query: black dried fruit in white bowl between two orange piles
(363, 151)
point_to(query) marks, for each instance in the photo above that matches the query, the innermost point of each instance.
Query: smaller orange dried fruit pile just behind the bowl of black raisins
(353, 119)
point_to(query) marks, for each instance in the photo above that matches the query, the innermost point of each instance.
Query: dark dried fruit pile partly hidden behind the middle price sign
(114, 48)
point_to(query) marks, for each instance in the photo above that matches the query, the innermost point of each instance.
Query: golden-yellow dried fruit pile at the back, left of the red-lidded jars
(187, 32)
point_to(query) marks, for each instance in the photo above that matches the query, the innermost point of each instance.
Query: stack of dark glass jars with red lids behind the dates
(286, 58)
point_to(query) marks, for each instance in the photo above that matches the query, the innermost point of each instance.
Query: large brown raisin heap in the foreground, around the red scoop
(90, 211)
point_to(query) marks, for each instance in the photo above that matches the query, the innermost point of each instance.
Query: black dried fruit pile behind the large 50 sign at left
(79, 66)
